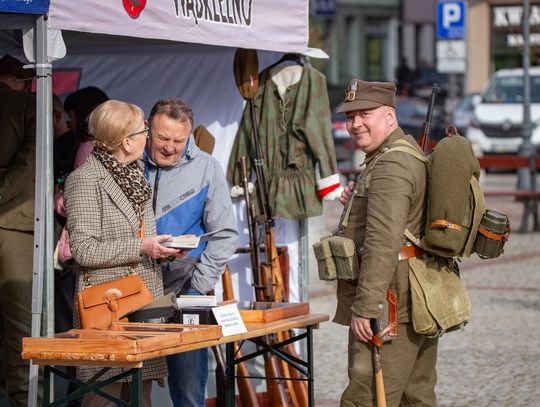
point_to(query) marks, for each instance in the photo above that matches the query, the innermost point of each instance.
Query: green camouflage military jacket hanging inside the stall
(296, 138)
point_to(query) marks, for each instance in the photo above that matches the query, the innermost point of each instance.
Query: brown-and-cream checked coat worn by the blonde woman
(103, 230)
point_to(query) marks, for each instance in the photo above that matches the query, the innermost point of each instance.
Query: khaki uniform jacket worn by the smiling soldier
(390, 195)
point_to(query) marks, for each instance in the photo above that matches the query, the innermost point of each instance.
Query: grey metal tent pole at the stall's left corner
(43, 233)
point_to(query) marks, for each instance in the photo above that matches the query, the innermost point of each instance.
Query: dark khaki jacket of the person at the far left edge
(17, 159)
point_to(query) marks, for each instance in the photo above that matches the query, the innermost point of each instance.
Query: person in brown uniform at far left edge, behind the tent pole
(17, 191)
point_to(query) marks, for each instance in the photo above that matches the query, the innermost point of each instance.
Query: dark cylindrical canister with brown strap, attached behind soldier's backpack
(492, 234)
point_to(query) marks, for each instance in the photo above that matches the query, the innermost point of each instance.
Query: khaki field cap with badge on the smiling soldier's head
(362, 95)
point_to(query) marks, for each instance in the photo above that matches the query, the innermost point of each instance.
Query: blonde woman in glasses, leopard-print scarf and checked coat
(107, 202)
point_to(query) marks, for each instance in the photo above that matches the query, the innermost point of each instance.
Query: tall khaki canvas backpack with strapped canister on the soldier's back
(456, 207)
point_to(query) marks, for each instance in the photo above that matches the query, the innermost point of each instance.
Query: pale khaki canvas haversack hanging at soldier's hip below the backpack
(439, 300)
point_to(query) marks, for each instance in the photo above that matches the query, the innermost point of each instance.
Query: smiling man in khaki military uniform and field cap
(389, 196)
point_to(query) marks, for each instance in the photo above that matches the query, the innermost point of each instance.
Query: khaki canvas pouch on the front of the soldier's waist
(336, 258)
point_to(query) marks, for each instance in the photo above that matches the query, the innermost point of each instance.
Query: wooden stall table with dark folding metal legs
(59, 351)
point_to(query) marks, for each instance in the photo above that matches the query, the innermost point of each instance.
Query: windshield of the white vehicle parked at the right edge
(509, 89)
